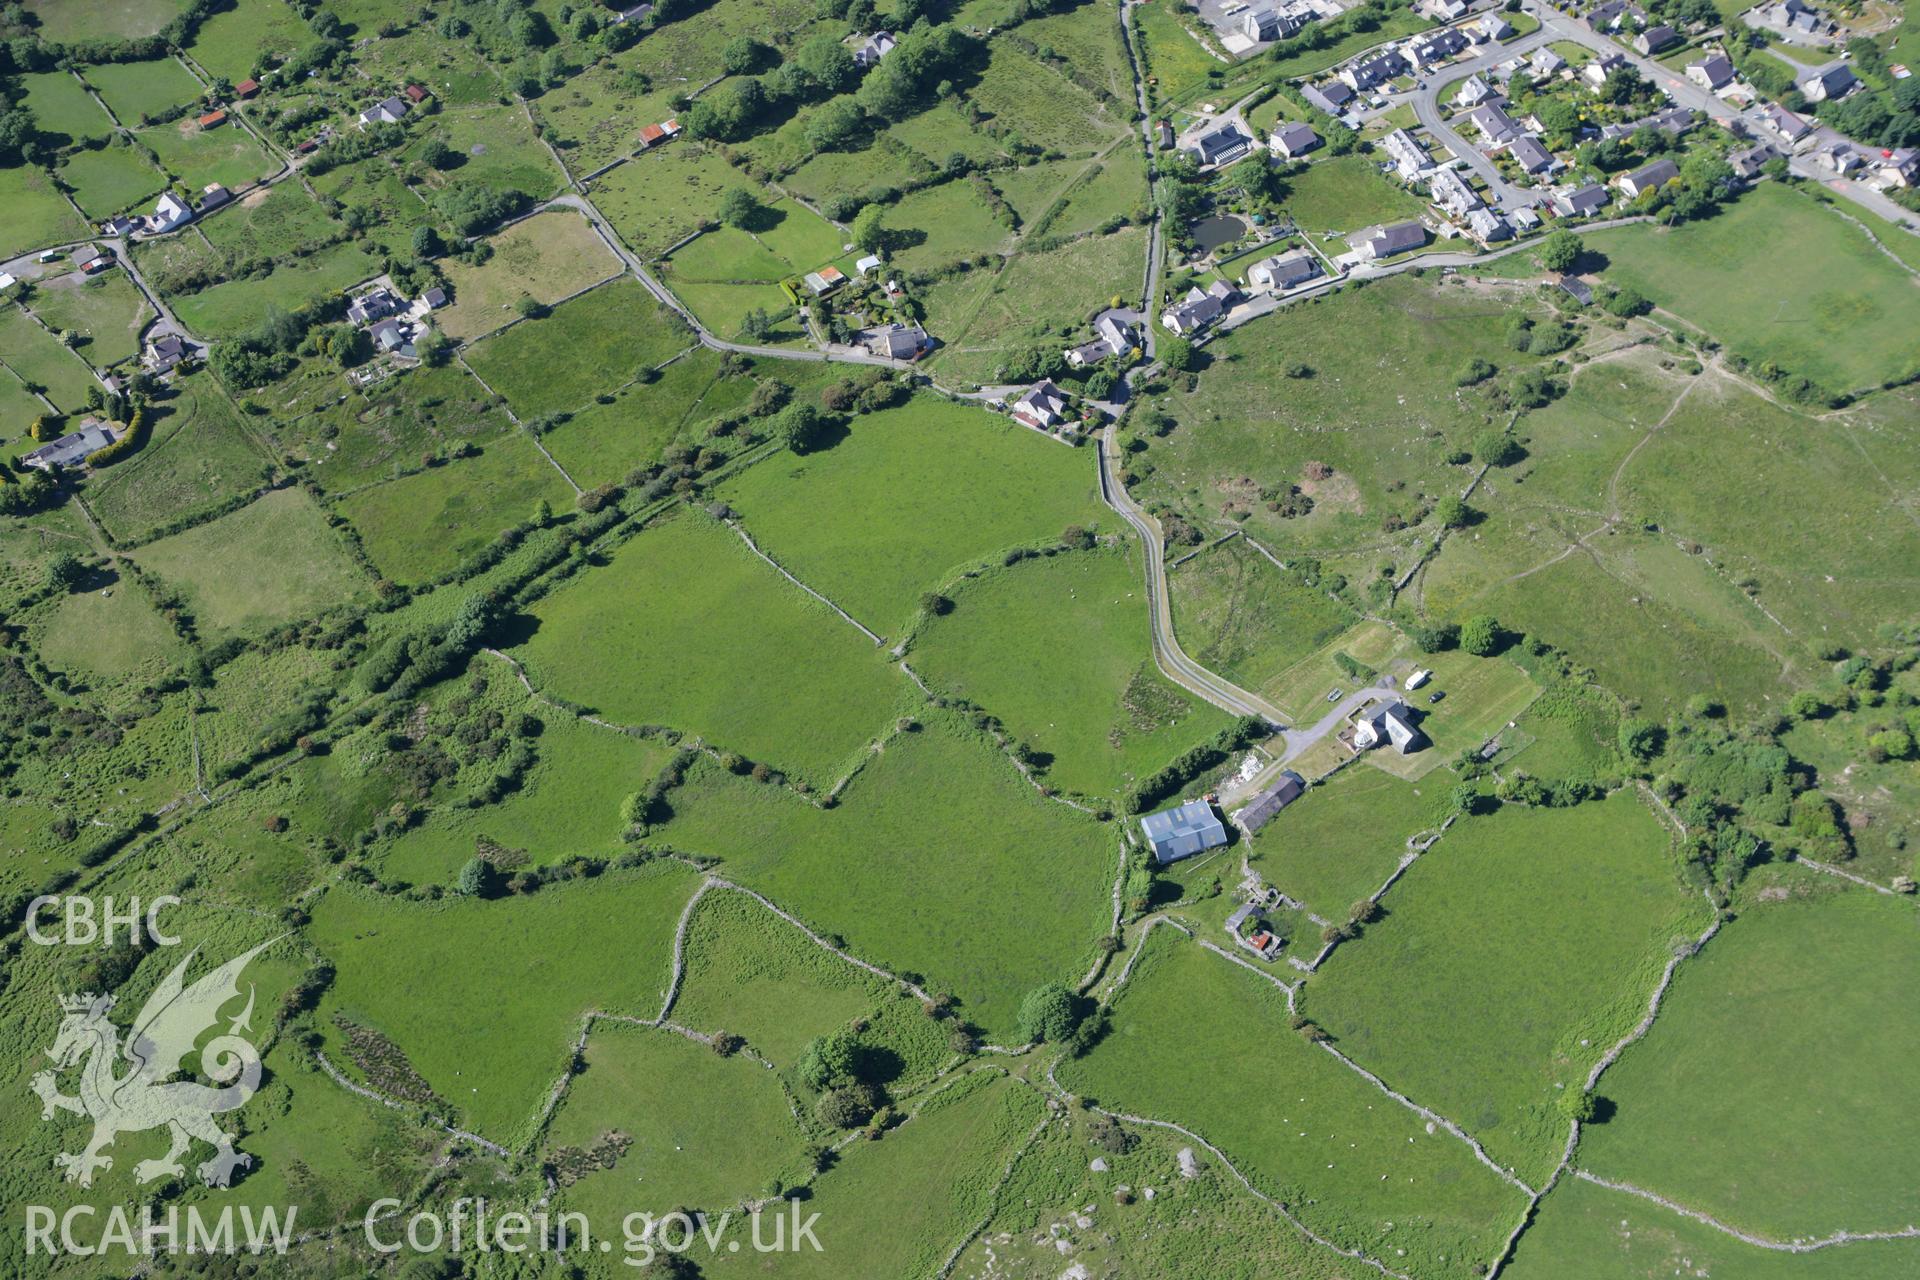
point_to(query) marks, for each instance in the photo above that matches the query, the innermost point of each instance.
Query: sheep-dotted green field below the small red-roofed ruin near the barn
(1303, 1127)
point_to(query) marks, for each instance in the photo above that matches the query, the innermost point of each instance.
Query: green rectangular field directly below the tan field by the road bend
(590, 344)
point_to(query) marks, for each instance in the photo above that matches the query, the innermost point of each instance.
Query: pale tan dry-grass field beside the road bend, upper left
(546, 258)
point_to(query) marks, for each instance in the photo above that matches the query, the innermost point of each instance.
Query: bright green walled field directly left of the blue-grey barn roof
(938, 859)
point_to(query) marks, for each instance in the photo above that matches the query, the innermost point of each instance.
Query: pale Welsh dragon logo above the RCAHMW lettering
(143, 1099)
